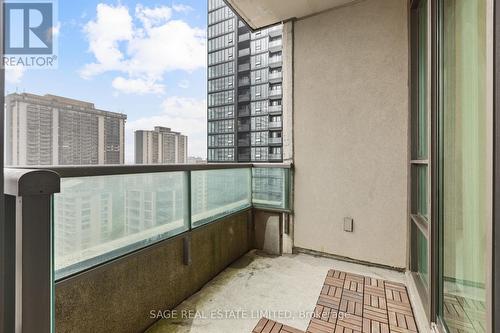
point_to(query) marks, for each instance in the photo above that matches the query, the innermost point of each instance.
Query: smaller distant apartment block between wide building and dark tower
(160, 146)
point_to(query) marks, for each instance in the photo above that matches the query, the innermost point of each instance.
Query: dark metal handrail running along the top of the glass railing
(109, 170)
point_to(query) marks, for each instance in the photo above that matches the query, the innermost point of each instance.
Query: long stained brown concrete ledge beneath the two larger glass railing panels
(119, 296)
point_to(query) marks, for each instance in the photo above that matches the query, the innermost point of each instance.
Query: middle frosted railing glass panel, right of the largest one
(216, 193)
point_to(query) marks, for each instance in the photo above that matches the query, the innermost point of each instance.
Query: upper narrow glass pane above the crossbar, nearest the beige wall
(422, 81)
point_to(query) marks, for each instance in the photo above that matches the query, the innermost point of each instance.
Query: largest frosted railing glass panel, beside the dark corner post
(100, 218)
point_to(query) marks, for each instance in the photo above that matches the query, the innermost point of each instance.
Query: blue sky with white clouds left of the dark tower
(146, 59)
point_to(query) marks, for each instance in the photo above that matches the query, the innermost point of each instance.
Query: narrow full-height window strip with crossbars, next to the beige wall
(420, 162)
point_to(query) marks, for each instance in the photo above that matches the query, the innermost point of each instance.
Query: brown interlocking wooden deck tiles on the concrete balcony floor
(351, 303)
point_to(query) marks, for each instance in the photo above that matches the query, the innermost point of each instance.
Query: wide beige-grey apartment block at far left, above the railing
(54, 130)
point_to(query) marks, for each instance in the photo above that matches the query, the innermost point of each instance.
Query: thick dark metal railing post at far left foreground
(29, 226)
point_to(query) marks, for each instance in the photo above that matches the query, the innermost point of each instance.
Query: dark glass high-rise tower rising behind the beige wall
(244, 89)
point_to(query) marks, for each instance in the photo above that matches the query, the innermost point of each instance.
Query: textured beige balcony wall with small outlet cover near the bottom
(350, 131)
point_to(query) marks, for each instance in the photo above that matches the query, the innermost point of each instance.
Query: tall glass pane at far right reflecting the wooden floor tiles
(465, 169)
